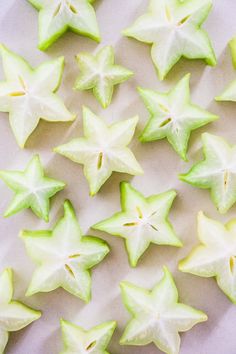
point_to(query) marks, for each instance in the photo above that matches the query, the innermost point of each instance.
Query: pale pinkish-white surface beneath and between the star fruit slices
(18, 30)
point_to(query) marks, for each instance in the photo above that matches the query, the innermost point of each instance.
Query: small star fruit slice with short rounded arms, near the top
(99, 73)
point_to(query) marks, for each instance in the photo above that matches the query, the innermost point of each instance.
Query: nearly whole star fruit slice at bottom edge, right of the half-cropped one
(157, 315)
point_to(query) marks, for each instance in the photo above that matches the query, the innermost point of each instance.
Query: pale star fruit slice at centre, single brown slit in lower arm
(103, 149)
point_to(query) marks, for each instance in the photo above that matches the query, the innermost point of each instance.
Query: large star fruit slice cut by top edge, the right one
(173, 28)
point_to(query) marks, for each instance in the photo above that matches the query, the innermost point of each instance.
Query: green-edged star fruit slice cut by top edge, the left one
(57, 16)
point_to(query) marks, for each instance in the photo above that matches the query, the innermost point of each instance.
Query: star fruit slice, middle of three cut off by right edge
(217, 171)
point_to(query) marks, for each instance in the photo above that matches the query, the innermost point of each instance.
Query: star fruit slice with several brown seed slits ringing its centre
(141, 221)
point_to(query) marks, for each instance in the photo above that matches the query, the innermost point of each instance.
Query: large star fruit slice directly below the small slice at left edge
(63, 256)
